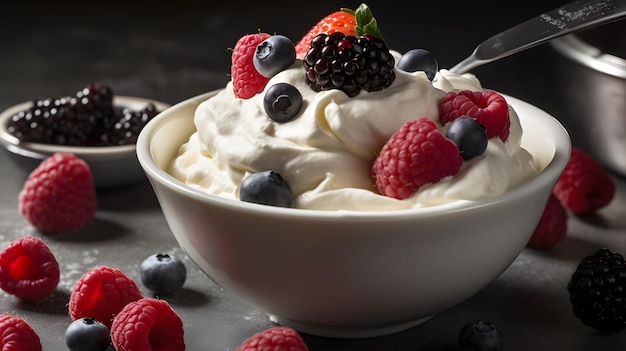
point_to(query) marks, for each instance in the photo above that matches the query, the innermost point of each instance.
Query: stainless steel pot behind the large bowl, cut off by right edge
(592, 79)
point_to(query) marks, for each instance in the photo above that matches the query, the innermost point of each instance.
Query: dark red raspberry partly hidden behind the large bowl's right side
(552, 226)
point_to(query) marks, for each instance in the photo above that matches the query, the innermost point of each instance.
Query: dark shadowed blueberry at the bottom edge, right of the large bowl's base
(480, 336)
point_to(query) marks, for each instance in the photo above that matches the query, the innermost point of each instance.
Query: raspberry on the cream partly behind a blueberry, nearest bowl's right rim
(488, 107)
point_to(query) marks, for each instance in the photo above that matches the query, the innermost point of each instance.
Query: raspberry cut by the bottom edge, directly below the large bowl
(274, 339)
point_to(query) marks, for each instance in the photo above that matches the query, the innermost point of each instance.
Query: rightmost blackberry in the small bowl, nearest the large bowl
(126, 129)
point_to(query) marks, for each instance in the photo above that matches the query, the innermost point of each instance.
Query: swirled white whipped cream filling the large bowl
(327, 151)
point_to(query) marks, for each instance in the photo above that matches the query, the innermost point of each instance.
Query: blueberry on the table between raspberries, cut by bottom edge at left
(87, 334)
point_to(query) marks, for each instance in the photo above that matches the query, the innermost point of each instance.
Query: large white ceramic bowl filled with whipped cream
(351, 274)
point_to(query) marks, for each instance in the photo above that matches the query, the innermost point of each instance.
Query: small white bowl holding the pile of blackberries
(110, 165)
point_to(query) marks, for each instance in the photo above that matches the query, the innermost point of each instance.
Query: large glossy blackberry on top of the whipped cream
(348, 63)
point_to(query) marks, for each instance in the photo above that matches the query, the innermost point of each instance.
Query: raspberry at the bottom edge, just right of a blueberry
(146, 325)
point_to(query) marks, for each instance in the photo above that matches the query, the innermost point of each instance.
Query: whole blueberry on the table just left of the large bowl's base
(162, 274)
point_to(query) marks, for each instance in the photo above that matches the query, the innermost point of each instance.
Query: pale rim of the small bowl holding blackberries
(90, 153)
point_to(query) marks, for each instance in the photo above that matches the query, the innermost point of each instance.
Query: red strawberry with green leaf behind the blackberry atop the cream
(346, 21)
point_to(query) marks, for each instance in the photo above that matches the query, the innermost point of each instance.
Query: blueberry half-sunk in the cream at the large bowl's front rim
(267, 188)
